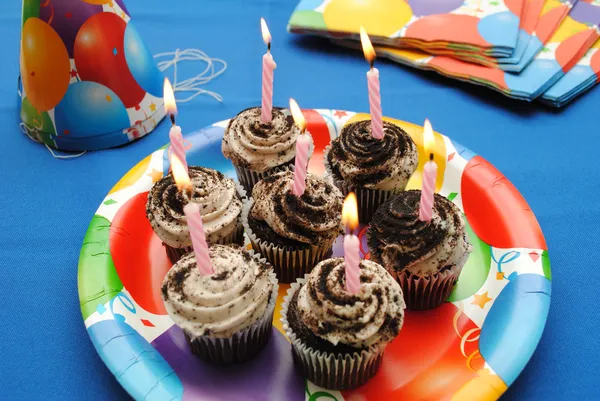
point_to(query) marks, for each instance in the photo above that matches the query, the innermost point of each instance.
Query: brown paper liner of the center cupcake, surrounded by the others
(289, 263)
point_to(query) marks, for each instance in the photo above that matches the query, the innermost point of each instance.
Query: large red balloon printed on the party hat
(100, 57)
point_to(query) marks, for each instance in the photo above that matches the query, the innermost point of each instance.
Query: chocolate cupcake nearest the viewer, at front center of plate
(338, 338)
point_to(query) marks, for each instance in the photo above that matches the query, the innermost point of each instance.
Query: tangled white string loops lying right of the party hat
(214, 68)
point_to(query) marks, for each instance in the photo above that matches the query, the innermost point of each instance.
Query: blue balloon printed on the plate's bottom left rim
(138, 366)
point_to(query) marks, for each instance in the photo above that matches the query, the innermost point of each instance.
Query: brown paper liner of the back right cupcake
(368, 200)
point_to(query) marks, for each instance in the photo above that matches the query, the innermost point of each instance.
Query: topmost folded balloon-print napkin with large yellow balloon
(486, 27)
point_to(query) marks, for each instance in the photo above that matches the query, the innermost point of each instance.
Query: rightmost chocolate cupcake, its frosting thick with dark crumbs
(426, 257)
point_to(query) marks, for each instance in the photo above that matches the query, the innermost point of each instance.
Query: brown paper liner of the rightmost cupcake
(428, 292)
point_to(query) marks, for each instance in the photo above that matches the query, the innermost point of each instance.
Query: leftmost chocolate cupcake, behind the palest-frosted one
(220, 202)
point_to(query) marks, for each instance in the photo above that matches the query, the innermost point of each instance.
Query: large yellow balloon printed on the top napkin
(379, 17)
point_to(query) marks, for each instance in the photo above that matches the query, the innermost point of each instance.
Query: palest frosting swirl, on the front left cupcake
(220, 304)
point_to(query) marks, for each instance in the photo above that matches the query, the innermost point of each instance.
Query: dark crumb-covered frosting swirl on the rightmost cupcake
(399, 240)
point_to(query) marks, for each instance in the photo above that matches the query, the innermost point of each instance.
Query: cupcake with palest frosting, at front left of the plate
(227, 316)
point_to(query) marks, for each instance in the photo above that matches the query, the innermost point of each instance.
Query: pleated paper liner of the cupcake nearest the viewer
(325, 369)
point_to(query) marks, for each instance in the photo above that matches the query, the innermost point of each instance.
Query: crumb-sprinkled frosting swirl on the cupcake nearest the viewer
(372, 317)
